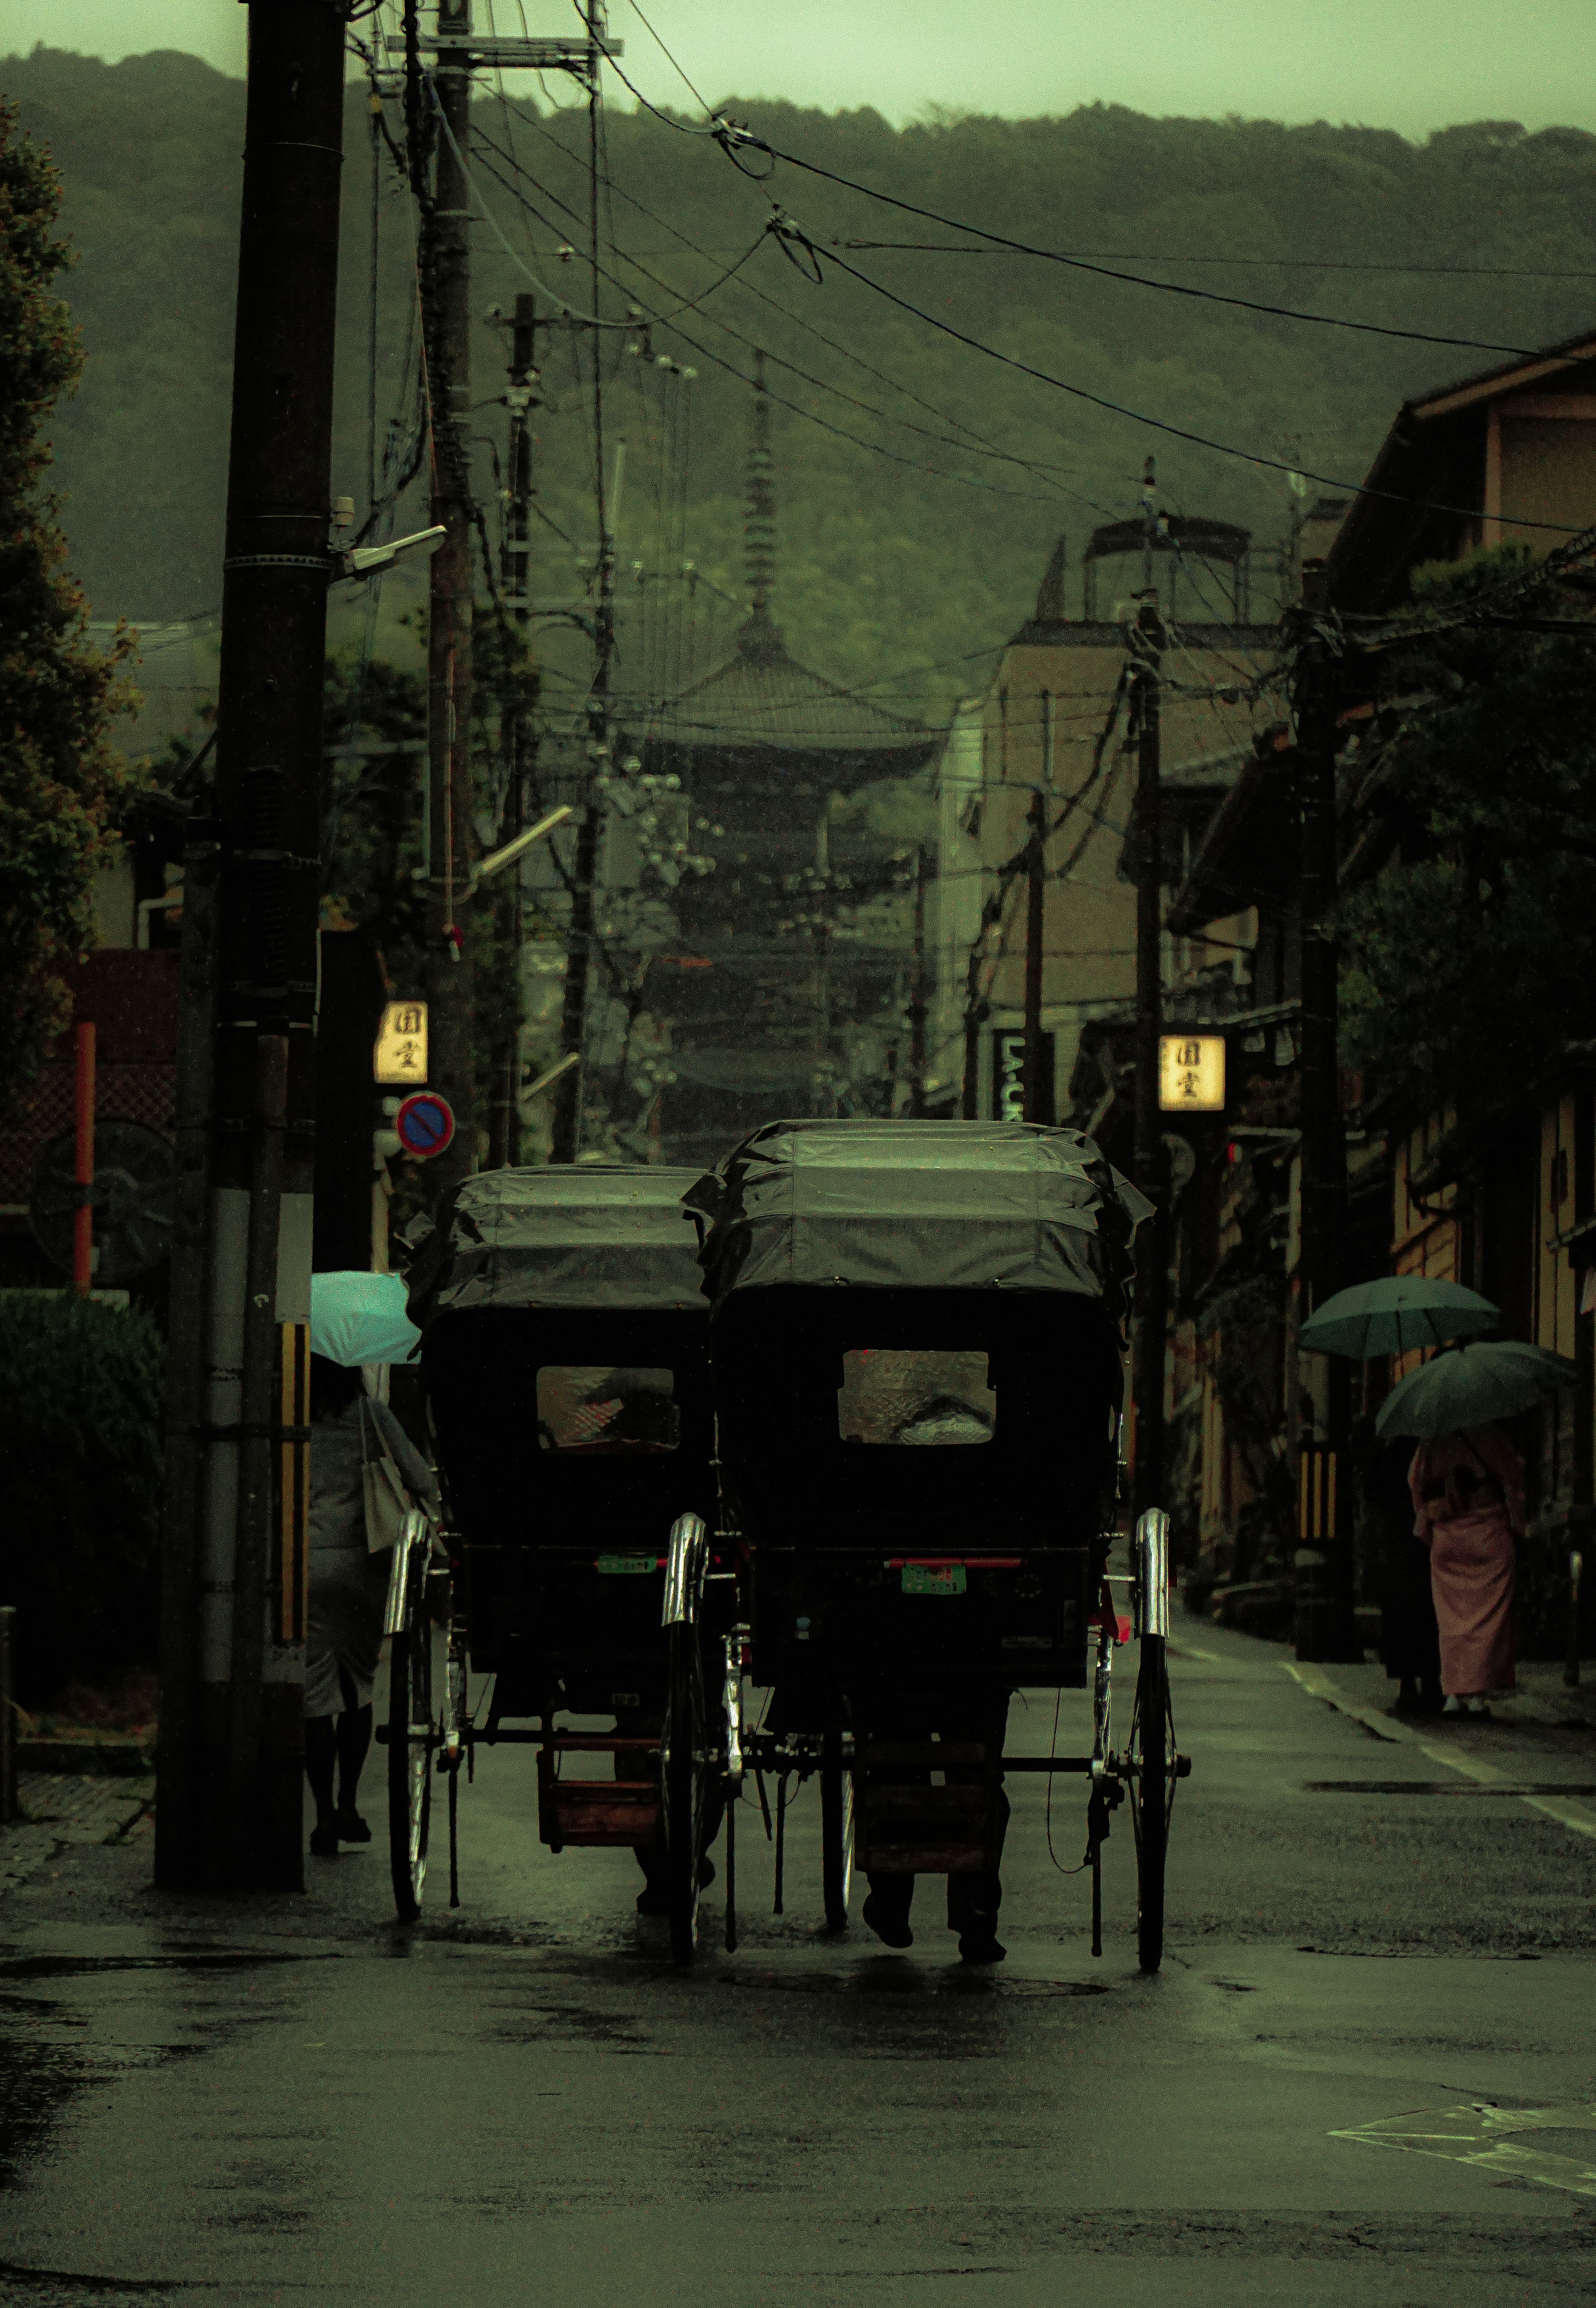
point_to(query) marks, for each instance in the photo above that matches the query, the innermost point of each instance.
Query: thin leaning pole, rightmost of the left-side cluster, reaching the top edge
(585, 867)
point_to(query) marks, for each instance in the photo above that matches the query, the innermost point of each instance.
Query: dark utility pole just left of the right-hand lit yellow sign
(1147, 1377)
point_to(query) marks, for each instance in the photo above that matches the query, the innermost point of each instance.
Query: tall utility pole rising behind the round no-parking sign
(446, 285)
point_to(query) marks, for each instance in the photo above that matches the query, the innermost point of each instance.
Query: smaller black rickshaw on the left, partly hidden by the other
(566, 1370)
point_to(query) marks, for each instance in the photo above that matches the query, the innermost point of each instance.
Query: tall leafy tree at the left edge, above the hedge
(61, 784)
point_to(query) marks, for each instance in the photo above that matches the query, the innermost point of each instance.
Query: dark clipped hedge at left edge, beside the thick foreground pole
(82, 1485)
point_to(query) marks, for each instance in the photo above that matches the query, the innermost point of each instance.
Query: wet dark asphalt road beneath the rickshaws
(525, 2104)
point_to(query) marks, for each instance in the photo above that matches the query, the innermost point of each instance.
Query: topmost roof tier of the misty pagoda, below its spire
(765, 698)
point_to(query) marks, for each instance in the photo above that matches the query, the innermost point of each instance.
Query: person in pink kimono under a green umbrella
(1468, 1511)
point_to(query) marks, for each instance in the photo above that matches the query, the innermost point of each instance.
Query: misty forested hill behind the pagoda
(898, 550)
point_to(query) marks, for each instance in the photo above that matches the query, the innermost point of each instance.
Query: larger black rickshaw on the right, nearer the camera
(917, 1349)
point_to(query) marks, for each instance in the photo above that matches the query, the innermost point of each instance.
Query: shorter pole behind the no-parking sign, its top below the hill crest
(515, 730)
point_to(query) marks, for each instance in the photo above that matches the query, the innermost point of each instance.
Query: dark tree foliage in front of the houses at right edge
(1468, 966)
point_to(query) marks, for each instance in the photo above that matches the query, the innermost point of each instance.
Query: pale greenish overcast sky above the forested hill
(1392, 63)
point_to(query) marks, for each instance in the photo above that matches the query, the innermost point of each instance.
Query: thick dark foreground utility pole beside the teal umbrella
(236, 1427)
